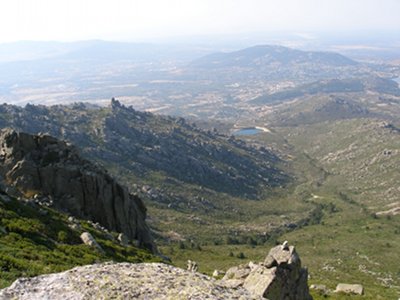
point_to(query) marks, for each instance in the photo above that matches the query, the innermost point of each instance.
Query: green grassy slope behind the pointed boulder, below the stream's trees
(347, 245)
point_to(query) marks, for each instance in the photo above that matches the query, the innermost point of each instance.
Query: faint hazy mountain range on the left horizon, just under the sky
(95, 50)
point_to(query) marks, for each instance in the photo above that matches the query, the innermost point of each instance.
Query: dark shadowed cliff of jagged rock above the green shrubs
(41, 164)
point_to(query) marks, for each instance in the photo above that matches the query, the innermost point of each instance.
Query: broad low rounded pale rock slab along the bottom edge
(122, 281)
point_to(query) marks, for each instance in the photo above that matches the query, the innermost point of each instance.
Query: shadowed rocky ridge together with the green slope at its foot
(197, 185)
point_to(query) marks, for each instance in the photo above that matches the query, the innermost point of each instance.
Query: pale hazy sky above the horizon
(67, 20)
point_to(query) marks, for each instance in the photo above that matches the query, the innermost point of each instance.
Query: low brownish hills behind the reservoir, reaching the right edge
(329, 101)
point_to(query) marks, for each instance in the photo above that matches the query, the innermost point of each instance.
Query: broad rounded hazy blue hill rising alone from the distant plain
(267, 63)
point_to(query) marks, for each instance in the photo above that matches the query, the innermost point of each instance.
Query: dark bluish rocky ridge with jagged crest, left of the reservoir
(146, 145)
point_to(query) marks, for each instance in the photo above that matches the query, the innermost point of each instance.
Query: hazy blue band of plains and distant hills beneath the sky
(177, 79)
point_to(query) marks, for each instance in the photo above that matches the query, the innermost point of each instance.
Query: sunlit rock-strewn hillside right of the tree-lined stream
(361, 157)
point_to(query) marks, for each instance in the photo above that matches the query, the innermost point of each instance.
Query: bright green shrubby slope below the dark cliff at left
(36, 240)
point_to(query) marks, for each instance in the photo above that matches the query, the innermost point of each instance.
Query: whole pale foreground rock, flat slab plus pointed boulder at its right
(280, 276)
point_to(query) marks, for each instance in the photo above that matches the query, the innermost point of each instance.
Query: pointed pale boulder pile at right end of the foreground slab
(280, 276)
